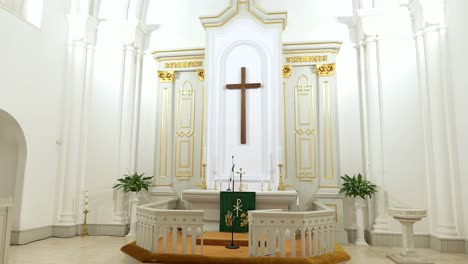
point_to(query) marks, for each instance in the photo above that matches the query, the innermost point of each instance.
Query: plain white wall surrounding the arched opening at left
(31, 82)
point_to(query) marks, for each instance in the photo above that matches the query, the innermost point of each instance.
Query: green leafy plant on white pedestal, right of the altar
(358, 188)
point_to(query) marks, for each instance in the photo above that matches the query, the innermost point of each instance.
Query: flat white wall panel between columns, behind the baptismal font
(403, 144)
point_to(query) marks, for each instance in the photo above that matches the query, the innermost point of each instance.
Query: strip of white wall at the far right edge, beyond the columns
(458, 37)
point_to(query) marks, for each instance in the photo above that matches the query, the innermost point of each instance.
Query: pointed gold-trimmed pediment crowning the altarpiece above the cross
(238, 7)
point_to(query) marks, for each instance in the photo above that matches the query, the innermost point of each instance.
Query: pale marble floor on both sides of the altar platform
(94, 250)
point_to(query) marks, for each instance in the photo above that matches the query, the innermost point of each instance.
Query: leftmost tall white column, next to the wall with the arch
(80, 59)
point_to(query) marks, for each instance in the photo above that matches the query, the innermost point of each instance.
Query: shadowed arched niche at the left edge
(12, 162)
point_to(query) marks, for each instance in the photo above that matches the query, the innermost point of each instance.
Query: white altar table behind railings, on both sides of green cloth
(208, 200)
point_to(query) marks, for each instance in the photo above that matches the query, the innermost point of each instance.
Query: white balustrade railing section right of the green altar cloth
(271, 230)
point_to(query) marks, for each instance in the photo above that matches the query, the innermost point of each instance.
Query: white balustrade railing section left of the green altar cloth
(154, 223)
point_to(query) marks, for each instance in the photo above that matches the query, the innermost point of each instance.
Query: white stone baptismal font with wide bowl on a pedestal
(407, 218)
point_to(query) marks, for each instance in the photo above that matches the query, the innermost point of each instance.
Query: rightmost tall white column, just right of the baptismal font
(434, 45)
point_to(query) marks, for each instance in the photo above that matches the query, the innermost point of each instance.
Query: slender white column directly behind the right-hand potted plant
(374, 129)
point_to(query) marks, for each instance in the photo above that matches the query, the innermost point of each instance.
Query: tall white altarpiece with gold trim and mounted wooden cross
(278, 118)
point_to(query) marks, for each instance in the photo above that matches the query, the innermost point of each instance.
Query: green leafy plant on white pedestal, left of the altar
(133, 184)
